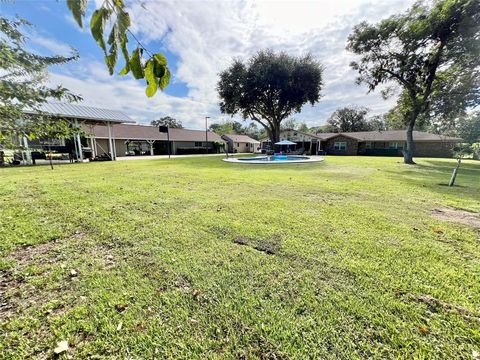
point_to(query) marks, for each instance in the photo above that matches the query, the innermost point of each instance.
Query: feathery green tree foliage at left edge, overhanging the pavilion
(22, 87)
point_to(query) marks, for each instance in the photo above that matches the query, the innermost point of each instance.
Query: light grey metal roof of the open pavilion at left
(82, 112)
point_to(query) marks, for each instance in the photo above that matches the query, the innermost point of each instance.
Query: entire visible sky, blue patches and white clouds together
(200, 38)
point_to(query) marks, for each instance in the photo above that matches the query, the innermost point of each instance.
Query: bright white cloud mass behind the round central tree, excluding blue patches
(206, 36)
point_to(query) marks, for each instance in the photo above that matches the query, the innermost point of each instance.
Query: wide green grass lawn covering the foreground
(196, 258)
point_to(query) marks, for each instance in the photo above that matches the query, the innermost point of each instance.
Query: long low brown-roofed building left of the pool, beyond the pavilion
(147, 140)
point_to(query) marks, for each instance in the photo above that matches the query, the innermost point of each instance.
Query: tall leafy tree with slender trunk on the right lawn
(425, 51)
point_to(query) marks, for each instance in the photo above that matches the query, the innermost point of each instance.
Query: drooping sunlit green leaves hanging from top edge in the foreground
(113, 12)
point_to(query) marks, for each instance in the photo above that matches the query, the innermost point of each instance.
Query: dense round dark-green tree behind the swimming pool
(269, 88)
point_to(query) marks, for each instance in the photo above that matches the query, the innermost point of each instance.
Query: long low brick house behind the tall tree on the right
(383, 143)
